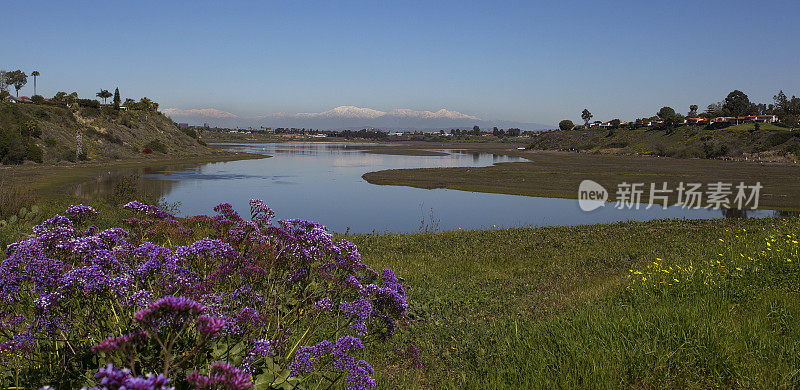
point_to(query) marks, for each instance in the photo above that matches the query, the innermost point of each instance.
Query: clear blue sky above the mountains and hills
(523, 61)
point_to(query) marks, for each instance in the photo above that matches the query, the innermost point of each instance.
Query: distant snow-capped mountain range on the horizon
(347, 117)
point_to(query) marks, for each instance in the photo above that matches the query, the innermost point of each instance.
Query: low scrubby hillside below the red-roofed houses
(739, 142)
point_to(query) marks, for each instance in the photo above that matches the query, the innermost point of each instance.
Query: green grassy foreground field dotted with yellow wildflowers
(675, 304)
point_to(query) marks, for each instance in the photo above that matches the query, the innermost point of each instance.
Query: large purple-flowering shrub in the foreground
(154, 305)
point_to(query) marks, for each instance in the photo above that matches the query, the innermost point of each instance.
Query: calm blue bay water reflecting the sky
(322, 182)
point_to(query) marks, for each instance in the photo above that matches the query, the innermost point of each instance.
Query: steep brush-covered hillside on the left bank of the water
(48, 134)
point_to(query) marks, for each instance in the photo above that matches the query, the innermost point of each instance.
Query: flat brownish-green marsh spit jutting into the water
(558, 174)
